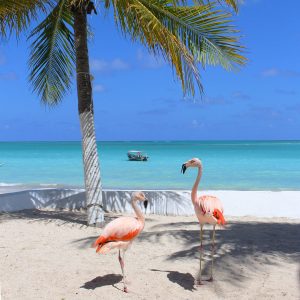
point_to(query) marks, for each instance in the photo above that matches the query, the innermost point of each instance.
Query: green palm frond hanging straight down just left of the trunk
(52, 55)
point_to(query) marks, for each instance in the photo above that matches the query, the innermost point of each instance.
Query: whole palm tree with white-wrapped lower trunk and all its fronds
(183, 34)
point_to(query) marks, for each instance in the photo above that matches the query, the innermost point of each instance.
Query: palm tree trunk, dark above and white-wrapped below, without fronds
(92, 179)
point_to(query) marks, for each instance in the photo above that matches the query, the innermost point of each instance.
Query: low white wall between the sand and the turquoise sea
(236, 203)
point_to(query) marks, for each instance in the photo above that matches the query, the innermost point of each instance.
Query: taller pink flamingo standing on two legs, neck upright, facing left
(208, 209)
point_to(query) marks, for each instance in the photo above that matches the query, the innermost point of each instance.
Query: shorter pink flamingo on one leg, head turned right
(121, 232)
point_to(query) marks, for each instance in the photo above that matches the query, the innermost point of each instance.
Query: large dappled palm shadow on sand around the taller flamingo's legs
(242, 245)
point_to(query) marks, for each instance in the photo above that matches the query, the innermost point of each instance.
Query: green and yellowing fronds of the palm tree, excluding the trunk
(183, 34)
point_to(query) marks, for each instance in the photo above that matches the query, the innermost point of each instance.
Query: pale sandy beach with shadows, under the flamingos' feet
(47, 255)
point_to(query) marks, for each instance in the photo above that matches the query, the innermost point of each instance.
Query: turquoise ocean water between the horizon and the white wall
(226, 165)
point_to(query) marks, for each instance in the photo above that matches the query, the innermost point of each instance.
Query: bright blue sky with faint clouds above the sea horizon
(137, 97)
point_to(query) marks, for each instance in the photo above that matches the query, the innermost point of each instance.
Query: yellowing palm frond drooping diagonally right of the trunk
(133, 17)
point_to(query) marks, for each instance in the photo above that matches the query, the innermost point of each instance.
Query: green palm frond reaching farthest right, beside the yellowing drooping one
(207, 32)
